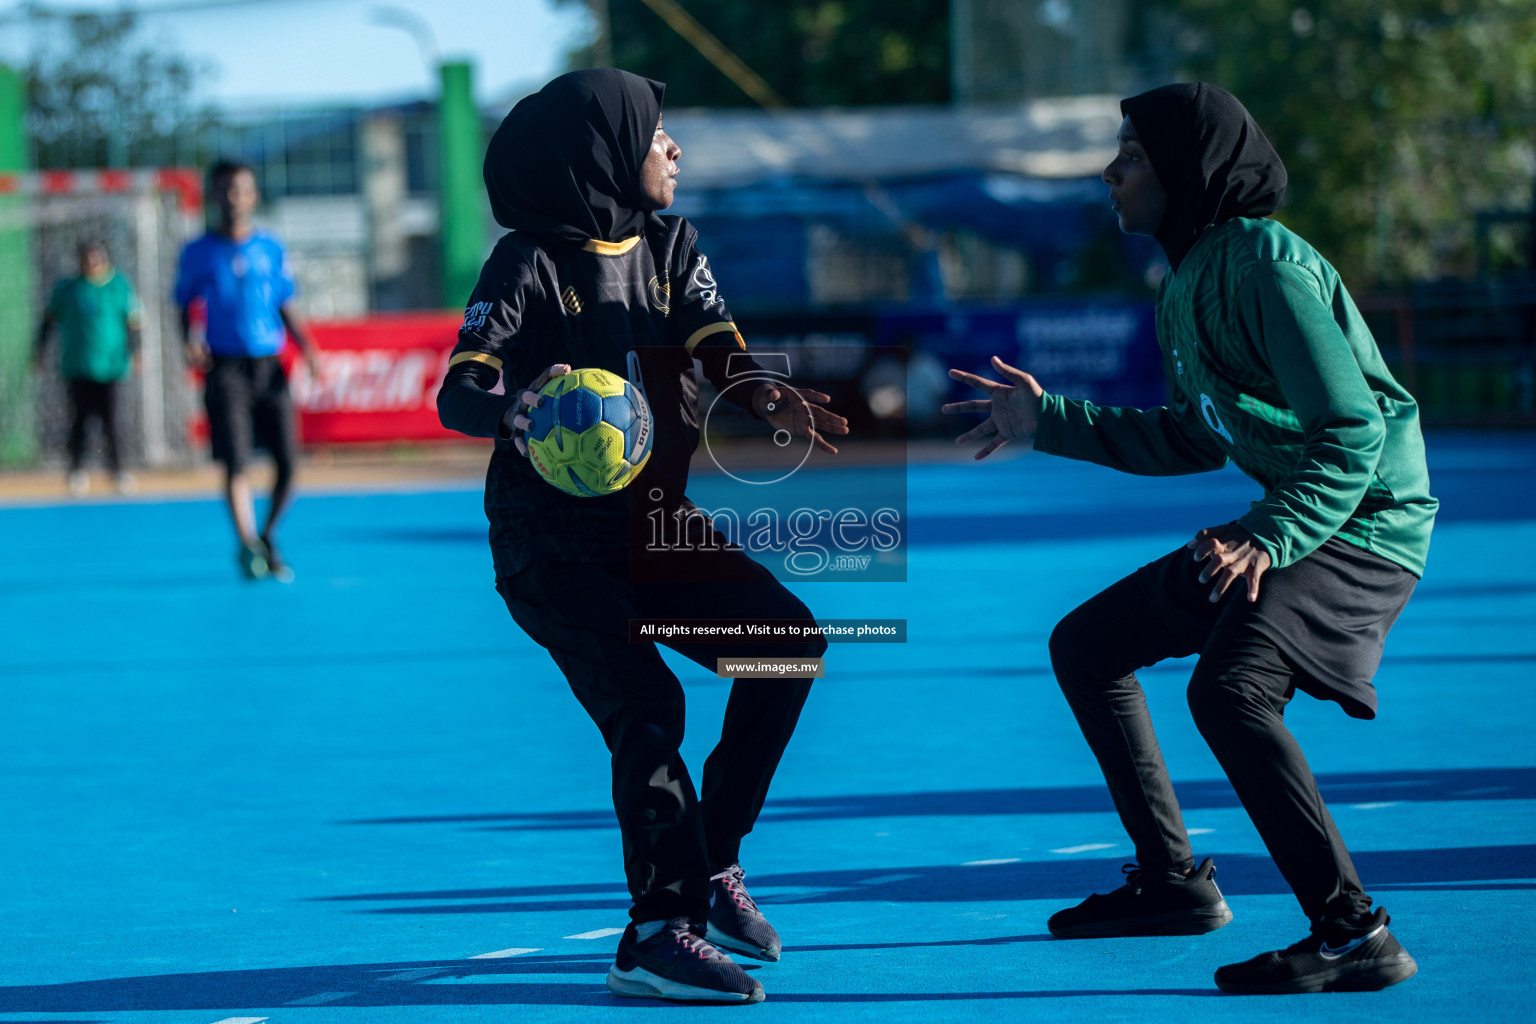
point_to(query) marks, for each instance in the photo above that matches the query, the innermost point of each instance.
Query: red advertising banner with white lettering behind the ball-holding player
(379, 378)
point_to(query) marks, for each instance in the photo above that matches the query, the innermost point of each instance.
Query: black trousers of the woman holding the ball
(580, 613)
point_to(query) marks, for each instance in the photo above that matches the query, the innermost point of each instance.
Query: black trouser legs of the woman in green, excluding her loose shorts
(1237, 695)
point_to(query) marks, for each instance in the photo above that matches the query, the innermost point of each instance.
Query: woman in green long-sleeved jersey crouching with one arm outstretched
(1273, 369)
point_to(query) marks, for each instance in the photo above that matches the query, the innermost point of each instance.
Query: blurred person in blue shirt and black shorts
(243, 282)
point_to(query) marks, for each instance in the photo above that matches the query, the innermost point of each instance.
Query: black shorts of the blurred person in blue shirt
(250, 408)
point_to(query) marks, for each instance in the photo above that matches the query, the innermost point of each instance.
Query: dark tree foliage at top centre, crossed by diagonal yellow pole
(812, 53)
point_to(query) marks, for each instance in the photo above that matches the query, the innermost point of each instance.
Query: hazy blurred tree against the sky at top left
(99, 96)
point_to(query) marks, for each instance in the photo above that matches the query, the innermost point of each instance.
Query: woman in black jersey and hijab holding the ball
(591, 276)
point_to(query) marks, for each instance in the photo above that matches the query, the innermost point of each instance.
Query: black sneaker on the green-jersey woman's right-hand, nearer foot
(1332, 959)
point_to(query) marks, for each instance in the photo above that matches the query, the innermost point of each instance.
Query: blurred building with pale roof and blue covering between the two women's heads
(810, 210)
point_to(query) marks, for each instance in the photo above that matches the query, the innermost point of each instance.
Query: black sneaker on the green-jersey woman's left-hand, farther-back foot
(1148, 907)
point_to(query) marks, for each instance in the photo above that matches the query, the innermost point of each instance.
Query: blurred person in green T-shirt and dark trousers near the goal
(99, 322)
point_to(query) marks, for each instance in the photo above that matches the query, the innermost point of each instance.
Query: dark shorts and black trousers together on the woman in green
(1332, 609)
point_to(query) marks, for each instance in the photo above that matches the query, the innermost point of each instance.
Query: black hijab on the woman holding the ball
(566, 162)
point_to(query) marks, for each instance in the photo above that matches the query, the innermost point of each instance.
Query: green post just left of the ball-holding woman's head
(463, 153)
